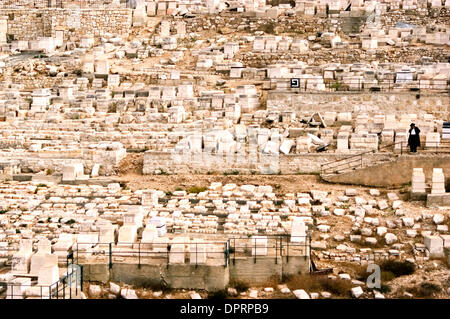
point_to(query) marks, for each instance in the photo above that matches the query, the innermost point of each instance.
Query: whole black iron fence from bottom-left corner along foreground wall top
(69, 286)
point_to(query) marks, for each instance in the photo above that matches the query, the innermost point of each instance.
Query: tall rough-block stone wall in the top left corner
(32, 23)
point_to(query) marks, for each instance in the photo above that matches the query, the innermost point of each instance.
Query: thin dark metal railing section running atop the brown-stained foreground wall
(277, 246)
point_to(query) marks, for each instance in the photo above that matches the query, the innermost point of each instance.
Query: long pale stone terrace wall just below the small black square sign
(436, 104)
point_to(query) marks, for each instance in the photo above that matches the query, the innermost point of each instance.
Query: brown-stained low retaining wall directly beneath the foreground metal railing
(187, 276)
